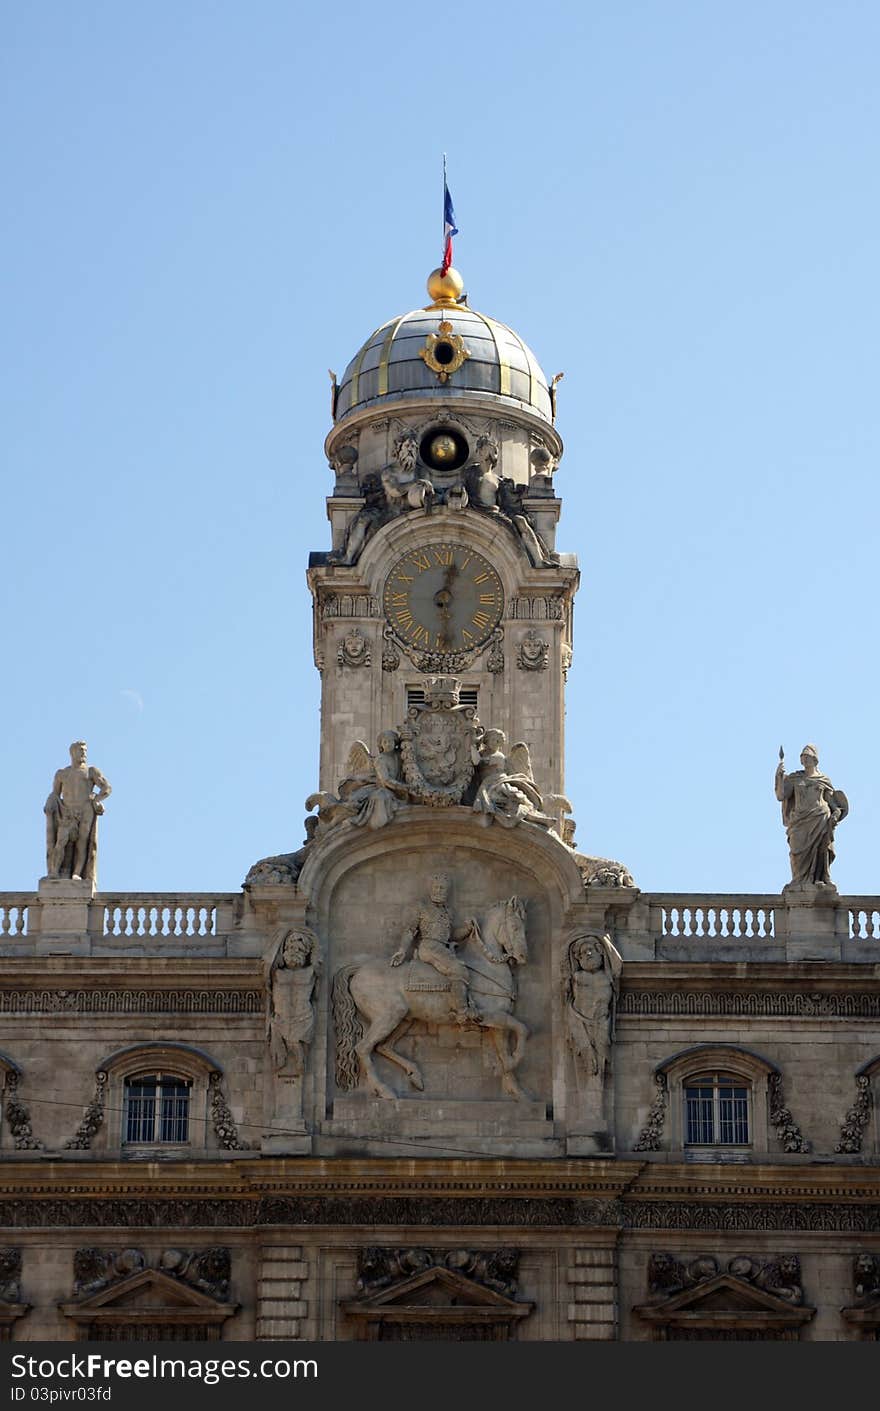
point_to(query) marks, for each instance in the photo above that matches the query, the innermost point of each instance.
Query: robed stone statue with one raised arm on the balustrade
(812, 811)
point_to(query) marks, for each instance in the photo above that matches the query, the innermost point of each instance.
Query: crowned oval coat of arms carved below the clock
(438, 746)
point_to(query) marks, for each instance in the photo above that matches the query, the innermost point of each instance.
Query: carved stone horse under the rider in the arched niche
(373, 1005)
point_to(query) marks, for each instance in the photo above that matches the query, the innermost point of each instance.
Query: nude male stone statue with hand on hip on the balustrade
(73, 812)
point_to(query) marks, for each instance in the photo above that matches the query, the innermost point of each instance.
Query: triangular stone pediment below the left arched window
(149, 1297)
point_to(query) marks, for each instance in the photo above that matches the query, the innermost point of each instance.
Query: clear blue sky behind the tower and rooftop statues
(209, 205)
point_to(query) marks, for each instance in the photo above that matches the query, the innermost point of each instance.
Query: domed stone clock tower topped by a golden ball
(444, 520)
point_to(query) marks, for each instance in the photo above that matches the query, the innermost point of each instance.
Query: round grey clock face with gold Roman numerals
(444, 598)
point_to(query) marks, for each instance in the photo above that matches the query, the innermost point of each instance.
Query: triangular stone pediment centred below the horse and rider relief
(436, 1304)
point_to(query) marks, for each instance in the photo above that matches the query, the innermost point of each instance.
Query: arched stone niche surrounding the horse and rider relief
(366, 890)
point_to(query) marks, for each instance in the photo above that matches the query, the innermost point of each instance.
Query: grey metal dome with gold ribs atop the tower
(499, 365)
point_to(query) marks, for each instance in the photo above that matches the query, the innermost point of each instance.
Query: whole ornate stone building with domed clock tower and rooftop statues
(439, 1074)
